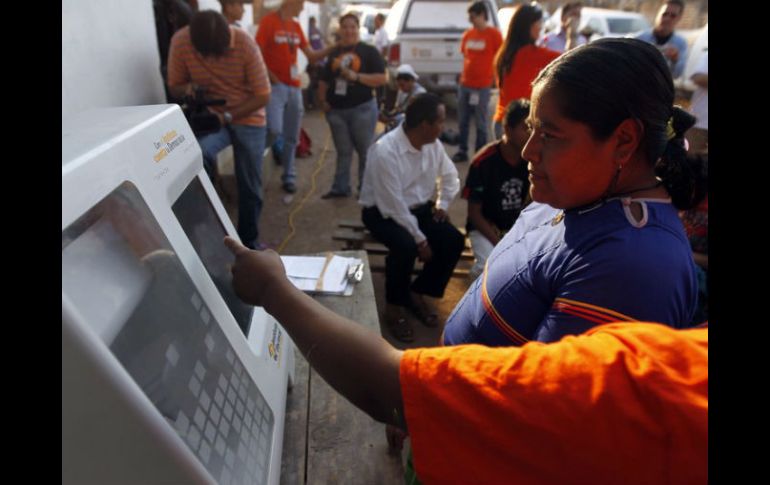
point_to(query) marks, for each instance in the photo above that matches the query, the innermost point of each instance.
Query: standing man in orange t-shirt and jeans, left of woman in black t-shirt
(279, 37)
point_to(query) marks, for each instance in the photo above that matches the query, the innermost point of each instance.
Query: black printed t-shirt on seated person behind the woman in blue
(500, 188)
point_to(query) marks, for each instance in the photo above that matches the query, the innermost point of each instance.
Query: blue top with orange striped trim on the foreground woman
(555, 275)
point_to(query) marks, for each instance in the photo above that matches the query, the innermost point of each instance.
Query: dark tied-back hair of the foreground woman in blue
(610, 80)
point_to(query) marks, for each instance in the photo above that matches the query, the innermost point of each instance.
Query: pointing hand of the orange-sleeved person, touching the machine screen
(256, 274)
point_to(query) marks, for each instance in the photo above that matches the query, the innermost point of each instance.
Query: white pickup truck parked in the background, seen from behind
(426, 35)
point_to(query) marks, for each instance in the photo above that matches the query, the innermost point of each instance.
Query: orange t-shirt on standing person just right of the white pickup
(479, 48)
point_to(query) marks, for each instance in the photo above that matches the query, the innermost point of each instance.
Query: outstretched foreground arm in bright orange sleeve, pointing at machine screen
(623, 403)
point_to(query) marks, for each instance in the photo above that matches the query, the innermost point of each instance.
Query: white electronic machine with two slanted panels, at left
(166, 376)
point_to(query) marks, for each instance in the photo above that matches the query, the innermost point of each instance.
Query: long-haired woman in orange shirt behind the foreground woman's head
(519, 60)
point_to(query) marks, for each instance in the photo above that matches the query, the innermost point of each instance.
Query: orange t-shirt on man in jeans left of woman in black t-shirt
(279, 41)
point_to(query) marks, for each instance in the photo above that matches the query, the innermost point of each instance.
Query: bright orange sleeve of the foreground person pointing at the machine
(622, 403)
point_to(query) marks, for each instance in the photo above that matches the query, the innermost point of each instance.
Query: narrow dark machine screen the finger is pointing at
(200, 222)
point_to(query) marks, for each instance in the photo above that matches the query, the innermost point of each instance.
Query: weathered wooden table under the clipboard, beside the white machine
(327, 439)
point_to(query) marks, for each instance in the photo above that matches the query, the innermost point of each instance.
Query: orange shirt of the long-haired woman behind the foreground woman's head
(517, 83)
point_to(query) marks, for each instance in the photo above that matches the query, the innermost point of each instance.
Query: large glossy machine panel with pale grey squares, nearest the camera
(121, 273)
